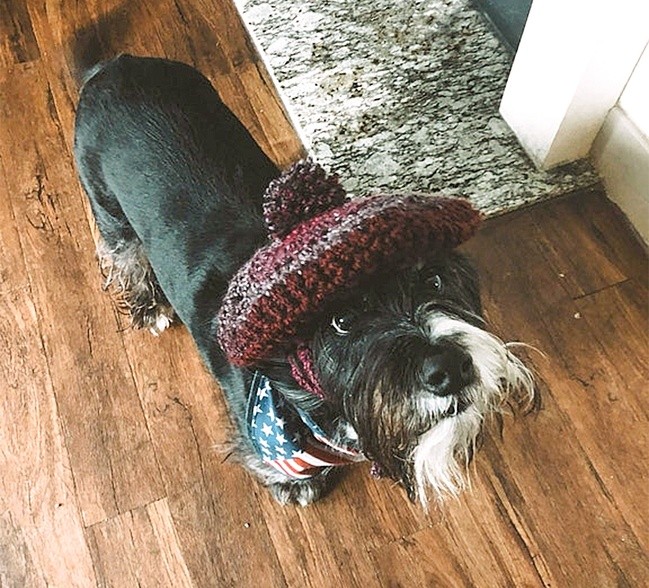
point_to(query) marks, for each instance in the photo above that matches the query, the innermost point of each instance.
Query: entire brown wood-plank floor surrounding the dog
(108, 473)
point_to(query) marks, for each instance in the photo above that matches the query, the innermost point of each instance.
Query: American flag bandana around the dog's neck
(287, 438)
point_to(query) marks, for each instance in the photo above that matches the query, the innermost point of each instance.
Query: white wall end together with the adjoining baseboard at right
(579, 87)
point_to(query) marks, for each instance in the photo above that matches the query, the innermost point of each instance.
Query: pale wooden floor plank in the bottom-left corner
(41, 533)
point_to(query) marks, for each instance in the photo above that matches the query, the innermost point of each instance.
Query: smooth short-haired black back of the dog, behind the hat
(165, 163)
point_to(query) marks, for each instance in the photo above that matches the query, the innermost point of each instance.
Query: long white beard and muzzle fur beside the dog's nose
(442, 454)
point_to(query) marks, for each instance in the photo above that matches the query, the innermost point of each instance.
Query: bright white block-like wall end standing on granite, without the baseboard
(574, 59)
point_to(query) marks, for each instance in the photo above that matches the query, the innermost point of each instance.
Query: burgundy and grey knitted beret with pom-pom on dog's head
(322, 243)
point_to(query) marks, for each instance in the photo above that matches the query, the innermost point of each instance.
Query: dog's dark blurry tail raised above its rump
(88, 50)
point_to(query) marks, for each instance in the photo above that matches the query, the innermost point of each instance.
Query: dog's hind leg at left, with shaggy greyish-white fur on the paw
(123, 261)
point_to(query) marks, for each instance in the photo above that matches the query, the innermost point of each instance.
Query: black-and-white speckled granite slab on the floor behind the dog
(403, 95)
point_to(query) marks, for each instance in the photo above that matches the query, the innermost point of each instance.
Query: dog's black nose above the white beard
(447, 370)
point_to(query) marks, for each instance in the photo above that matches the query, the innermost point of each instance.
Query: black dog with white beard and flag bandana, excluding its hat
(399, 370)
